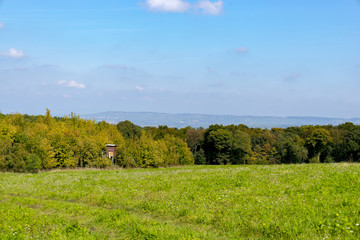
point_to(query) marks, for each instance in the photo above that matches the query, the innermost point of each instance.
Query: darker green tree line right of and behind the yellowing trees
(239, 144)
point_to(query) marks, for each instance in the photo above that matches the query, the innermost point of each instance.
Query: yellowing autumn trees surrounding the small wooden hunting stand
(32, 143)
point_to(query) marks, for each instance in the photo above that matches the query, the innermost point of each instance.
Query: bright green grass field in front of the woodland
(197, 202)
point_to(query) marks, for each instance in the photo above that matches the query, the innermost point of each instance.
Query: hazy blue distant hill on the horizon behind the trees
(205, 120)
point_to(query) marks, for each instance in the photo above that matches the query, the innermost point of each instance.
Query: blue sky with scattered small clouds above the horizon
(234, 57)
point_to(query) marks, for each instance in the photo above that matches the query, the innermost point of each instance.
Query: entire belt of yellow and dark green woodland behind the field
(32, 143)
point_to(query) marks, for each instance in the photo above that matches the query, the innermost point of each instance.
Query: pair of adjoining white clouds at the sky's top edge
(206, 6)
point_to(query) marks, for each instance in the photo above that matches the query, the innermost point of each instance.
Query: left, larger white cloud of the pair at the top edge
(168, 5)
